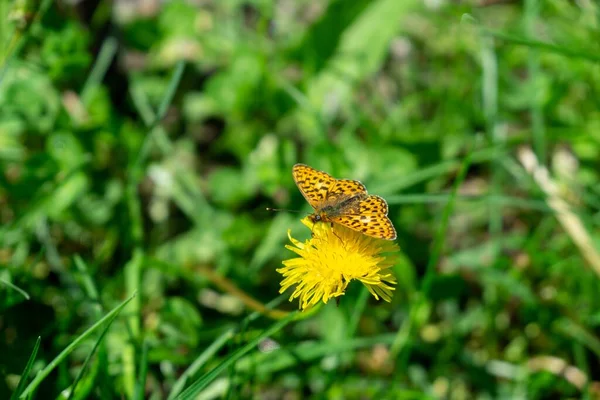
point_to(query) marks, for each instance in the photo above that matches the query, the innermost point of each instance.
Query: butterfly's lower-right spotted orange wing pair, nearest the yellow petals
(370, 218)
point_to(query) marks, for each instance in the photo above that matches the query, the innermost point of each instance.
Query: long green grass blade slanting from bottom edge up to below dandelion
(196, 387)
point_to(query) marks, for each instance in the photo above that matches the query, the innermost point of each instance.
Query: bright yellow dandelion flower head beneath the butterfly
(332, 258)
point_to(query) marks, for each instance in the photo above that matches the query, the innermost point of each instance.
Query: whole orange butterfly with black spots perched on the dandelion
(343, 201)
